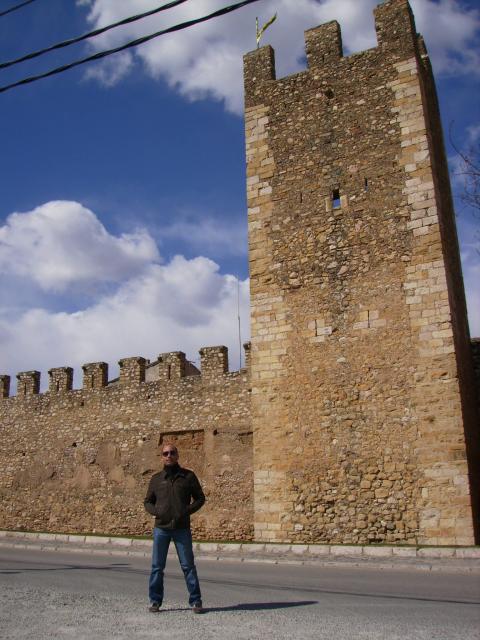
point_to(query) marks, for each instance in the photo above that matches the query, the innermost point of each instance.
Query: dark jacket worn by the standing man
(172, 496)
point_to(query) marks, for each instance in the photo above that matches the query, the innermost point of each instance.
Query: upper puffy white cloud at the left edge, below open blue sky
(61, 243)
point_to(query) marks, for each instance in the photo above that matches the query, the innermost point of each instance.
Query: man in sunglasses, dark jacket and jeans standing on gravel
(173, 495)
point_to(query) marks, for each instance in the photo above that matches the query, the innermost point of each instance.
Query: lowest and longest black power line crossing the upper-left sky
(128, 45)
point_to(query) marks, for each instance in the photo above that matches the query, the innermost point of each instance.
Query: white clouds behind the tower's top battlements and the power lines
(206, 60)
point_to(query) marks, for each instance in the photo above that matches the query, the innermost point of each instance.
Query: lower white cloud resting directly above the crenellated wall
(184, 305)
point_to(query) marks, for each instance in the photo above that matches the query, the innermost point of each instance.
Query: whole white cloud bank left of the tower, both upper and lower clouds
(185, 304)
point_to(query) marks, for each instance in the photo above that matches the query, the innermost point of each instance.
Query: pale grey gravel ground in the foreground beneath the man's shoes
(45, 615)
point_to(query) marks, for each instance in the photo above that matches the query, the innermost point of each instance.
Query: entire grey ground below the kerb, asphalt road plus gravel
(46, 595)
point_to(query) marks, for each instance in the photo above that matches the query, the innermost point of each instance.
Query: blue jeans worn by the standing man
(182, 539)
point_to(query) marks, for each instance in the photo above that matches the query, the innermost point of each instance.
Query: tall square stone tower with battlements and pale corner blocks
(363, 407)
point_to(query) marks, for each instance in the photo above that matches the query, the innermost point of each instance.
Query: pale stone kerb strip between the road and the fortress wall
(456, 559)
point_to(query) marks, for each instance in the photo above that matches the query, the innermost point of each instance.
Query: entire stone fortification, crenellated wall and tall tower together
(355, 418)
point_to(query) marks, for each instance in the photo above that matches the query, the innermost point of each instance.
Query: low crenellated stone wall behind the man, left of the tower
(80, 460)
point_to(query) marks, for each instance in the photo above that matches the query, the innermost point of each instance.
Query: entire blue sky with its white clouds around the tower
(122, 208)
